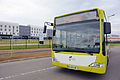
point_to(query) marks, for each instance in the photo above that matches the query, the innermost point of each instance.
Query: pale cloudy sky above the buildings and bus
(36, 12)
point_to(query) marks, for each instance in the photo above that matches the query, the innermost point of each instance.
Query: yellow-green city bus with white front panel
(79, 41)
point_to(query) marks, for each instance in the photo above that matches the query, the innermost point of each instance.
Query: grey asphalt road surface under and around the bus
(42, 69)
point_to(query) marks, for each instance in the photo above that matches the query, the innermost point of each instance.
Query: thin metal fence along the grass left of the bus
(6, 44)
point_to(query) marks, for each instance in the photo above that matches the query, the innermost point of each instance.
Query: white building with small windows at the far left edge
(8, 28)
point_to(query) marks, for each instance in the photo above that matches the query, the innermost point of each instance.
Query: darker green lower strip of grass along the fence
(24, 47)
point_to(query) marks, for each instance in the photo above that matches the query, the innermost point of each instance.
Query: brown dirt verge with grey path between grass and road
(22, 54)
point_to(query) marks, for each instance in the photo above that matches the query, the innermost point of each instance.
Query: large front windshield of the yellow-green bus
(77, 37)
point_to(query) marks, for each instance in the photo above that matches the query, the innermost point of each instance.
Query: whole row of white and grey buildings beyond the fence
(8, 29)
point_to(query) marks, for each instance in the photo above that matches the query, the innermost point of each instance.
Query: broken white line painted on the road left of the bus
(26, 73)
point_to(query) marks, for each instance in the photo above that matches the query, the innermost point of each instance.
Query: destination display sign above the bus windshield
(77, 17)
